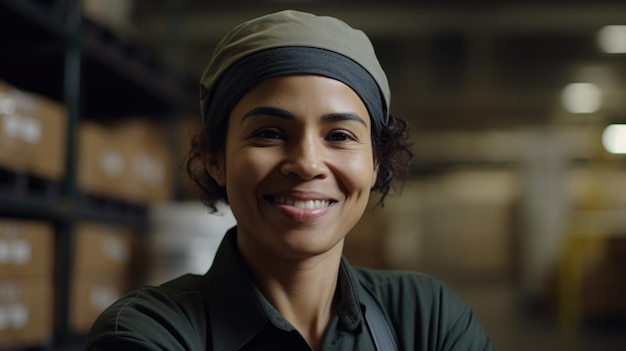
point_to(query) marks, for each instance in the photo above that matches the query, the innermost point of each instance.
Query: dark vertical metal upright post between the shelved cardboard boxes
(72, 96)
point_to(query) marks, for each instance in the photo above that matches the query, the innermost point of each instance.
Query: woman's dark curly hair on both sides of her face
(391, 146)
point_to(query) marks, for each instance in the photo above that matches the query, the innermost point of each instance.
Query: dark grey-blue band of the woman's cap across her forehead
(244, 74)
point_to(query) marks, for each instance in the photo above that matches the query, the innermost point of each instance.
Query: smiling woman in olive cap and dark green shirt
(296, 135)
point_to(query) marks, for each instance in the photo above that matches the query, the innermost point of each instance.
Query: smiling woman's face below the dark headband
(298, 165)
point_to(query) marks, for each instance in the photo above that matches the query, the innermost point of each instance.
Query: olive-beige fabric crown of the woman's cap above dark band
(292, 29)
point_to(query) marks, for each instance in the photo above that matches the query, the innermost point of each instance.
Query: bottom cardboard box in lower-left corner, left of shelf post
(26, 312)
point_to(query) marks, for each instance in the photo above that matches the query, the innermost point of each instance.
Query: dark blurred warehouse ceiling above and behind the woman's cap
(451, 64)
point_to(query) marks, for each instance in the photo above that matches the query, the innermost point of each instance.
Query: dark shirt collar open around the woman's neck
(238, 309)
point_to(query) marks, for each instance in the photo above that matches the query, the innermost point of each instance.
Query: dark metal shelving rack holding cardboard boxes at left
(95, 73)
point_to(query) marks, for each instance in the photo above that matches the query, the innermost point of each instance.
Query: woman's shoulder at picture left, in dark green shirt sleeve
(170, 316)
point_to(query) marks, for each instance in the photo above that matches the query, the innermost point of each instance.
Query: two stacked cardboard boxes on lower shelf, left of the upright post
(26, 293)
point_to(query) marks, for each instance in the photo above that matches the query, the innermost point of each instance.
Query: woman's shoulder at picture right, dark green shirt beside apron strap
(424, 312)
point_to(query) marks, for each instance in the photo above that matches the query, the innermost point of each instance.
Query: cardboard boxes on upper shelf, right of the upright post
(129, 161)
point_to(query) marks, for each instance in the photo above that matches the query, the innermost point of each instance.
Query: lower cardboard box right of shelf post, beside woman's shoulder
(90, 295)
